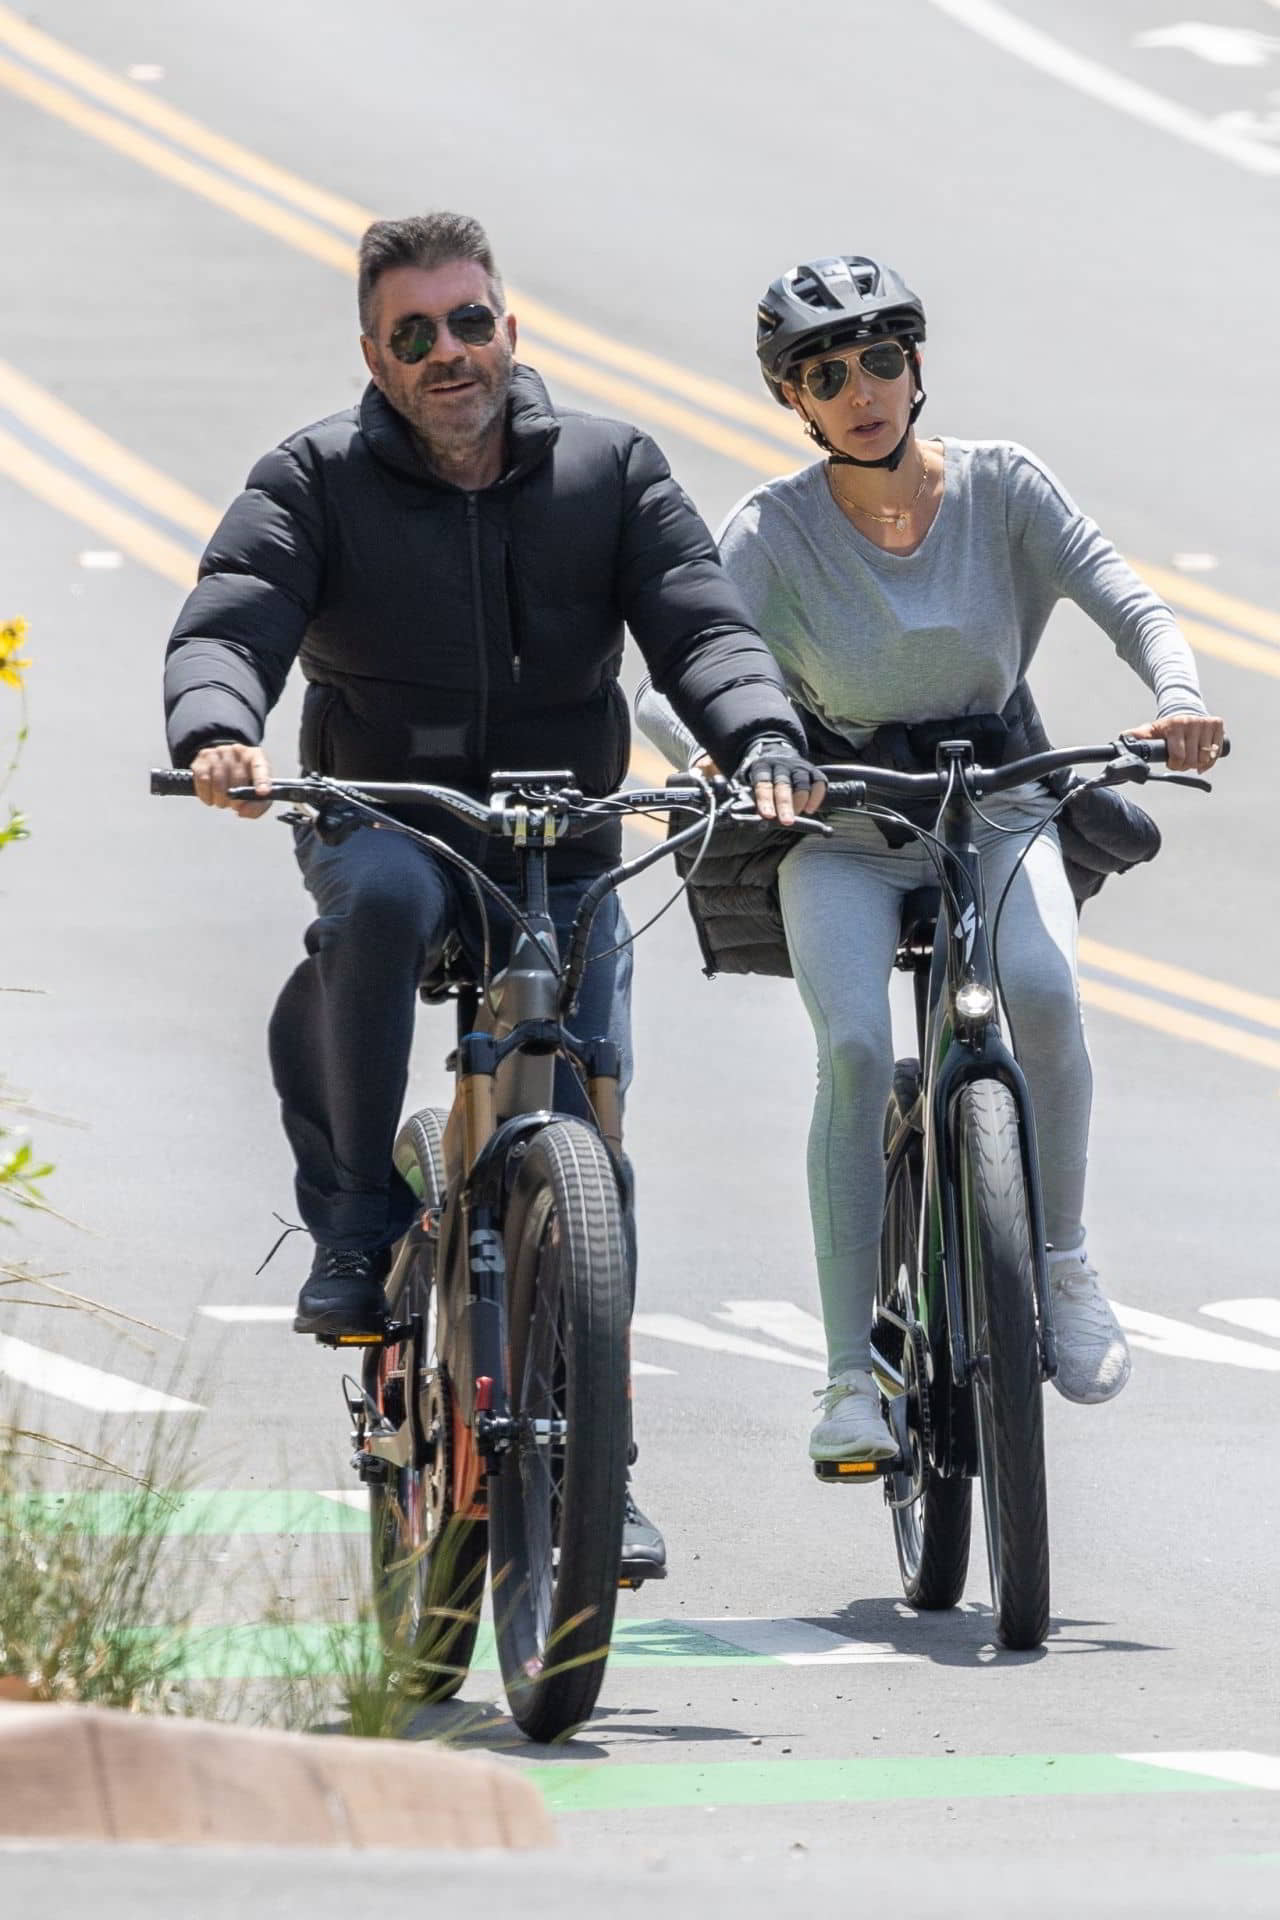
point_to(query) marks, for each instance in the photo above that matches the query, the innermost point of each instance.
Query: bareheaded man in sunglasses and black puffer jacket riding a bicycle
(454, 562)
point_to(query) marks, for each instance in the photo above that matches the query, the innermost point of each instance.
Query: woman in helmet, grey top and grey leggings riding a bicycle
(903, 583)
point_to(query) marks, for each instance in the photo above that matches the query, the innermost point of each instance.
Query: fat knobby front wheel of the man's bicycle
(559, 1495)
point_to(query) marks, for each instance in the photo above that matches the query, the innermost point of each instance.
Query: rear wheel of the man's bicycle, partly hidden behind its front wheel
(427, 1560)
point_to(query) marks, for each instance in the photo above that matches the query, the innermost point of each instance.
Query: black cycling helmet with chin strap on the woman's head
(826, 304)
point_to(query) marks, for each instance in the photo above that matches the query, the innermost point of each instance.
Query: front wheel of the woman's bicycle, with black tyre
(1007, 1362)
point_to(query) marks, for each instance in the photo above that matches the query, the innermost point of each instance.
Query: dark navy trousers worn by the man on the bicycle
(343, 1028)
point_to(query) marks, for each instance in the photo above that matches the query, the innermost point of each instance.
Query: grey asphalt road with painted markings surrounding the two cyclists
(1089, 212)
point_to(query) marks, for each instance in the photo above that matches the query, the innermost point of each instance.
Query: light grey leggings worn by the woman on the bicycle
(841, 903)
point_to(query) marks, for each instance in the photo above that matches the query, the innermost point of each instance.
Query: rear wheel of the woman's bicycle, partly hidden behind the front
(932, 1514)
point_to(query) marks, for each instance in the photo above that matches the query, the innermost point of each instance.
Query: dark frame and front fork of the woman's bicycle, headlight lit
(960, 1042)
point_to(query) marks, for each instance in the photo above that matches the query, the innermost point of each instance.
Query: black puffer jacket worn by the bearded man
(450, 635)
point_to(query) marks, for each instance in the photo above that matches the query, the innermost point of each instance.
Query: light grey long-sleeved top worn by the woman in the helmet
(868, 638)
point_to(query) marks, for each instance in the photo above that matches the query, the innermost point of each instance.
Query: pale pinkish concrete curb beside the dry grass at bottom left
(99, 1775)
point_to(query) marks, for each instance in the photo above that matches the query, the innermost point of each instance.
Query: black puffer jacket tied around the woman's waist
(734, 894)
